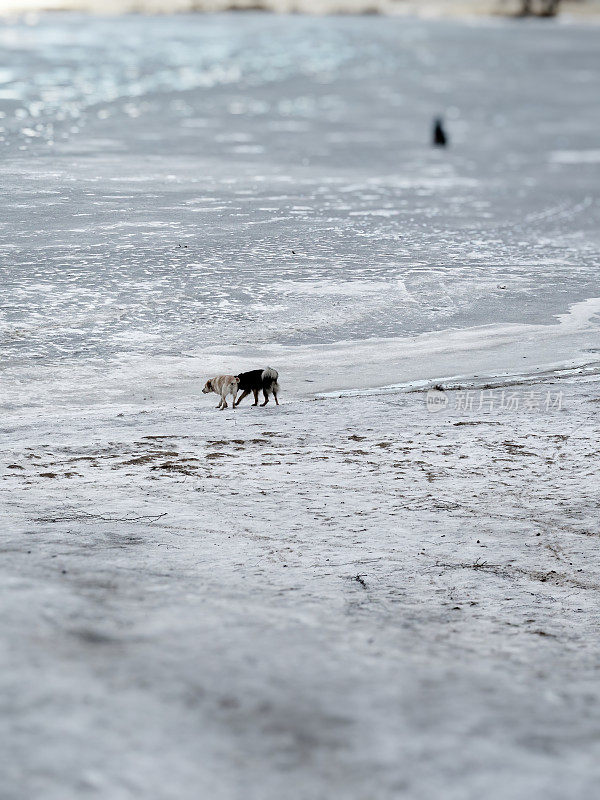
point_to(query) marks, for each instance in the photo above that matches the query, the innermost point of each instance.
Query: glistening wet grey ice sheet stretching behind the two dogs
(173, 184)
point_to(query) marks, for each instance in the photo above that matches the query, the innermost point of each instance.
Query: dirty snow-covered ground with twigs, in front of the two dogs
(352, 597)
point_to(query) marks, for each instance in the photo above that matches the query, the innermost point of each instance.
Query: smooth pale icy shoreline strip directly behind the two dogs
(479, 357)
